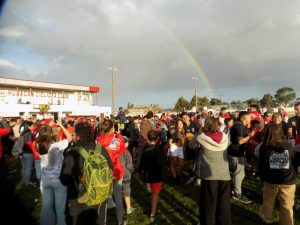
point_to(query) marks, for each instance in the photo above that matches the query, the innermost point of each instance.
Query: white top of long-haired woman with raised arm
(51, 162)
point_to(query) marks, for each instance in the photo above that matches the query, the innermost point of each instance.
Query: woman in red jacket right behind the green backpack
(115, 145)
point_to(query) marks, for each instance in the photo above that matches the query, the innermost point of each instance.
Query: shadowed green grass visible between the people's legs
(178, 204)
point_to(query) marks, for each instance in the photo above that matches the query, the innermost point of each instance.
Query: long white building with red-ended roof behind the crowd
(27, 97)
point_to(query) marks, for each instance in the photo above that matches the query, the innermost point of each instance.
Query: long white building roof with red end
(46, 85)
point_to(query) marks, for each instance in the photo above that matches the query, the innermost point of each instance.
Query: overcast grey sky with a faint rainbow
(237, 49)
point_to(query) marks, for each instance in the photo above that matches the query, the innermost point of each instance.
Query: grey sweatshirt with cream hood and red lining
(212, 163)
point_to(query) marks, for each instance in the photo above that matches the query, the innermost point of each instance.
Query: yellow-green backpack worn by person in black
(96, 180)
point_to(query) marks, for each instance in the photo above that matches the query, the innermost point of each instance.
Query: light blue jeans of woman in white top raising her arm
(54, 196)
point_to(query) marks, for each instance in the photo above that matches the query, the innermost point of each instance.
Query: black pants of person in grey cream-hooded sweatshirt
(214, 202)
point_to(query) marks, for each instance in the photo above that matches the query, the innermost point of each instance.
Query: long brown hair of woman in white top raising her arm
(44, 139)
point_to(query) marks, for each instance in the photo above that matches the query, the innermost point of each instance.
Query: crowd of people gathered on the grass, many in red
(217, 150)
